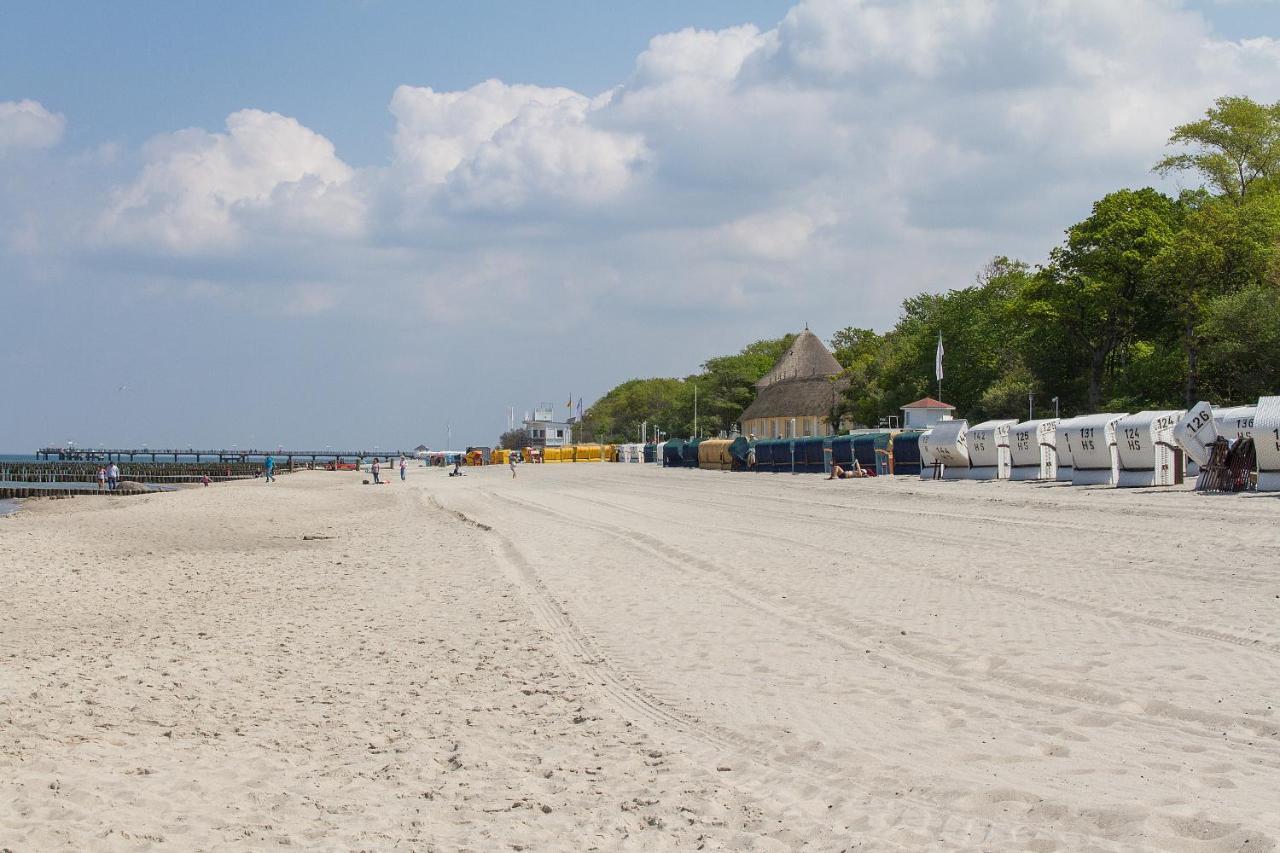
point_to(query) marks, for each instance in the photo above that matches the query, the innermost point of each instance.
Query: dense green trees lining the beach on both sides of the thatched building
(1149, 303)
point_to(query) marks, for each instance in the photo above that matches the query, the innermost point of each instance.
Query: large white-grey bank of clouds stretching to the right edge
(856, 153)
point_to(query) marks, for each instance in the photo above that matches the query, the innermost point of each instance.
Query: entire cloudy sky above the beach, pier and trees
(382, 223)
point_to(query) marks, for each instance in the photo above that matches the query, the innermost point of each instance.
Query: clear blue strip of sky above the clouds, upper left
(131, 71)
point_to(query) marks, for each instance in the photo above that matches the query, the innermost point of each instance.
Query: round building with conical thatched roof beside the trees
(796, 399)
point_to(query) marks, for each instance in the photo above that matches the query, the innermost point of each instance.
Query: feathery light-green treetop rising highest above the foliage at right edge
(1236, 147)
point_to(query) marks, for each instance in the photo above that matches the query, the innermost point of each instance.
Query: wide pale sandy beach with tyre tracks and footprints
(642, 659)
